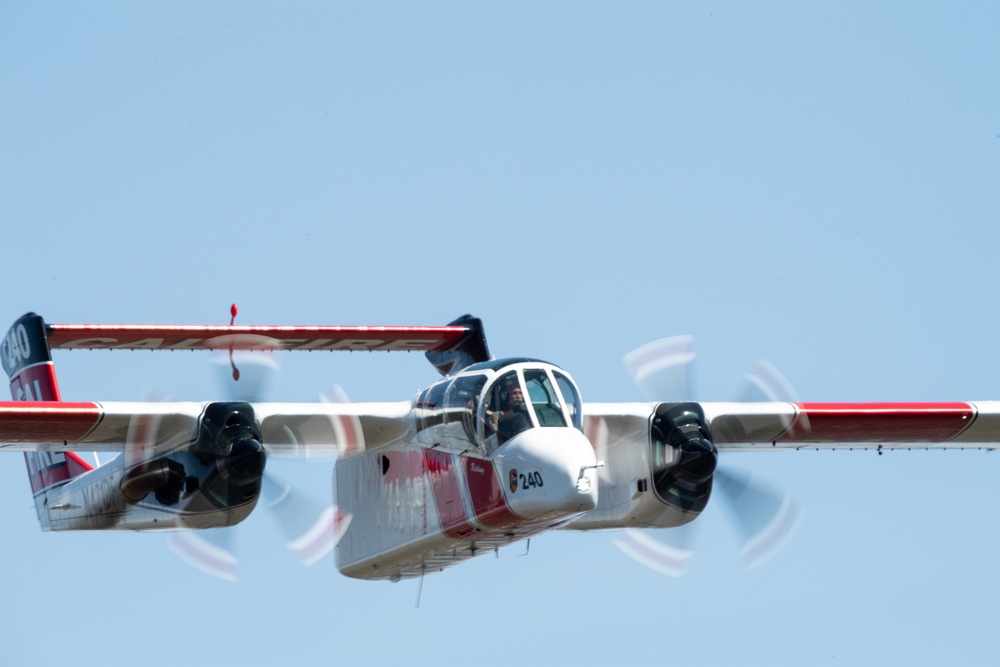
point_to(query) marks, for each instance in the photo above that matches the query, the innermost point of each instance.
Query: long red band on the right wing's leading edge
(879, 422)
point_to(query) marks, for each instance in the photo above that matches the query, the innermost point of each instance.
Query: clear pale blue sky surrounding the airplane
(817, 186)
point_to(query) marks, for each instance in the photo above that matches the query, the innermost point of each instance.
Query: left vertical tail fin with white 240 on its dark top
(28, 362)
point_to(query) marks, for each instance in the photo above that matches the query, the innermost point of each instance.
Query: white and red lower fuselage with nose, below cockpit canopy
(417, 510)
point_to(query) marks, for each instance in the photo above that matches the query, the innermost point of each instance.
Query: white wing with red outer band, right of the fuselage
(772, 426)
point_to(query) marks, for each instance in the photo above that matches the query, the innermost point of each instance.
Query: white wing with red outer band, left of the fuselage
(58, 426)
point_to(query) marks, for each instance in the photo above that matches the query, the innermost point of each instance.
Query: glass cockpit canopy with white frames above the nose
(490, 402)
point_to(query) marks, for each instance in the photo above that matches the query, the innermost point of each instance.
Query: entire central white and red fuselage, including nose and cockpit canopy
(458, 485)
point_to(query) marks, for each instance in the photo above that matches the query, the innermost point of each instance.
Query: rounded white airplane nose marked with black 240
(550, 472)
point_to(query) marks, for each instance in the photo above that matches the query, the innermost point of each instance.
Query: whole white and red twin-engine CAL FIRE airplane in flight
(494, 452)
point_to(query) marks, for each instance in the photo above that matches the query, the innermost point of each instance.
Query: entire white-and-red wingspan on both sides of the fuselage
(59, 426)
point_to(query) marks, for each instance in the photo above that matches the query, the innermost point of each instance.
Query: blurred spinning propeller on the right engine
(766, 520)
